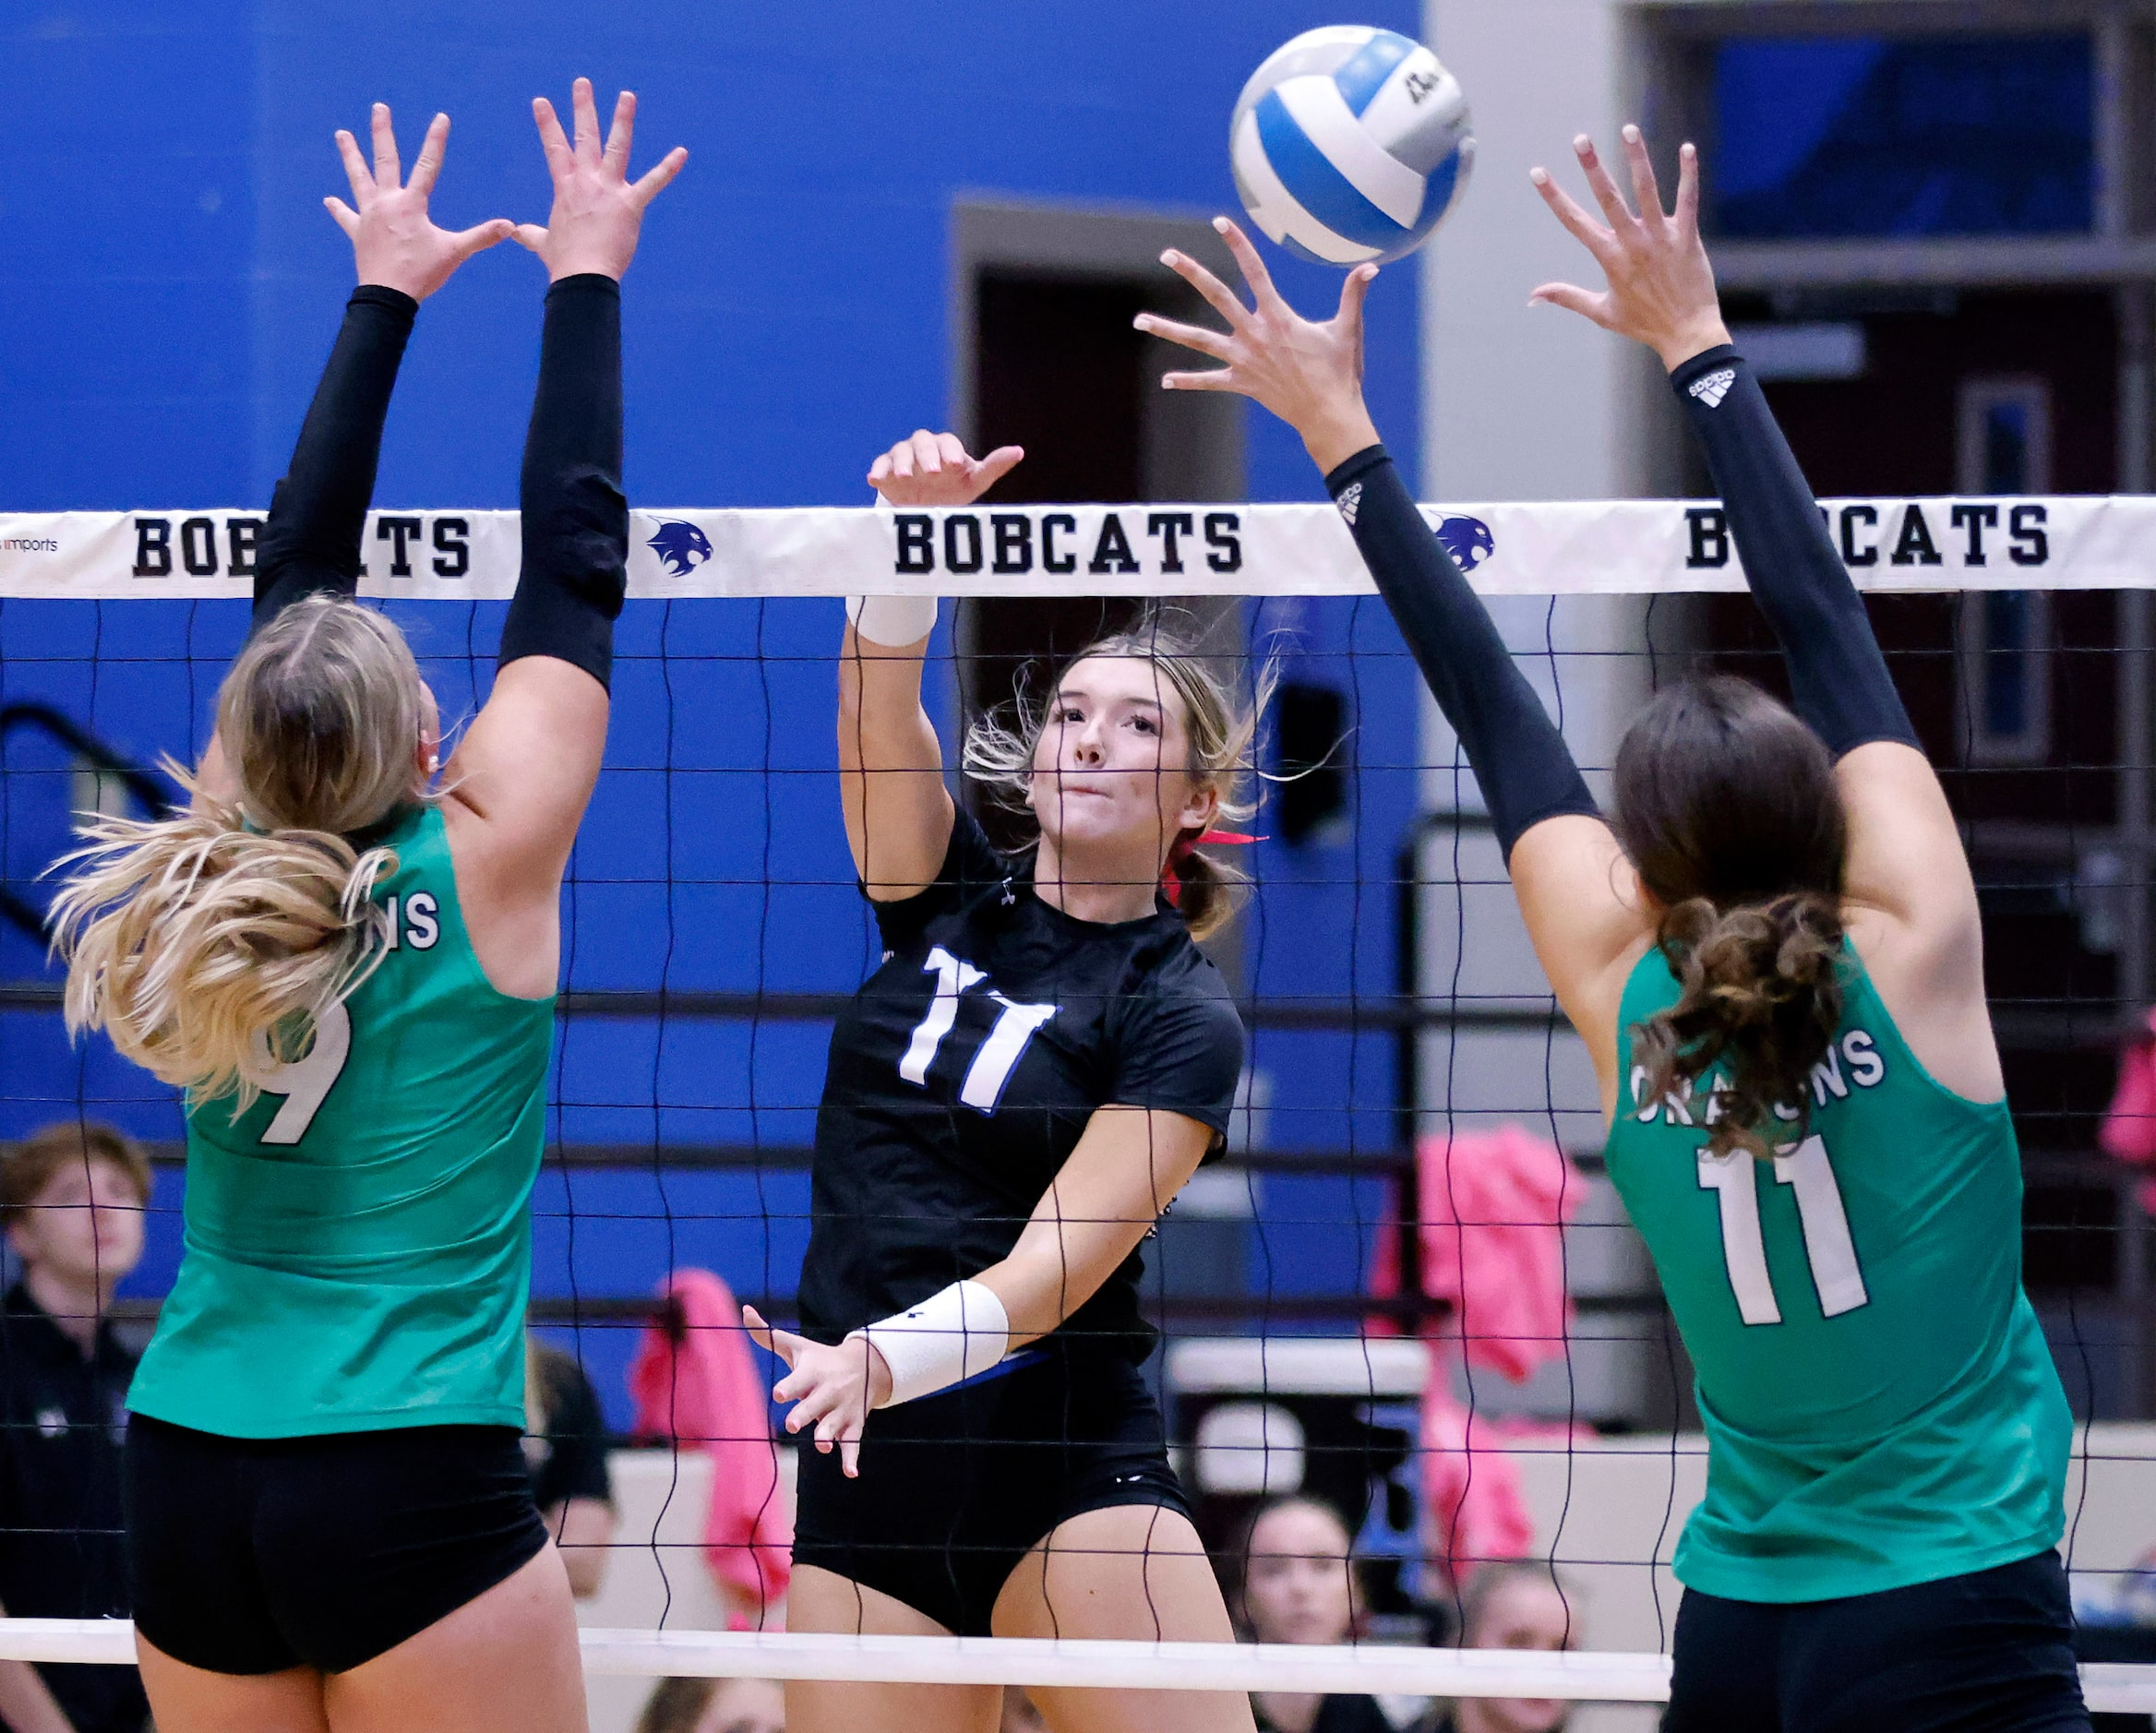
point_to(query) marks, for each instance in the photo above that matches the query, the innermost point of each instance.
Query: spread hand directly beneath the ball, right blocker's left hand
(1308, 374)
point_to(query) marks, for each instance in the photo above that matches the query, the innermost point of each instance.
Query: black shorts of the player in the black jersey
(956, 1488)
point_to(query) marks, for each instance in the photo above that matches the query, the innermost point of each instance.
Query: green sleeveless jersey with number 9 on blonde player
(359, 1240)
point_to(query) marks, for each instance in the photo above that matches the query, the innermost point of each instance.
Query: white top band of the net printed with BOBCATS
(1543, 549)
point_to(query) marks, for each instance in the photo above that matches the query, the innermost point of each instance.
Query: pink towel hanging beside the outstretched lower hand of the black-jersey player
(695, 1383)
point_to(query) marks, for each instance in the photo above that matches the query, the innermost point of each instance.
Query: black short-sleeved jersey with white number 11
(967, 1070)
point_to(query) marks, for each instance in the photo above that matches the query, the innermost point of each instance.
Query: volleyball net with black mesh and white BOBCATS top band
(1351, 1305)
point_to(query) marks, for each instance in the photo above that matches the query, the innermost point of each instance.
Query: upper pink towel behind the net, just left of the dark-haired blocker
(1495, 1210)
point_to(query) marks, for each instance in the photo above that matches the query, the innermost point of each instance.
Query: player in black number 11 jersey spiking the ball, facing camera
(1025, 1083)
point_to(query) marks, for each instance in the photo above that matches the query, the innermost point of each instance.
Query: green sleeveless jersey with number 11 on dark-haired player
(1879, 1400)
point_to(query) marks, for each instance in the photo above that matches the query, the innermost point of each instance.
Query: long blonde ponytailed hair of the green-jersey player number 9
(210, 943)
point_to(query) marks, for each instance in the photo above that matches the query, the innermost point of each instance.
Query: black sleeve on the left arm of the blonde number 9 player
(320, 508)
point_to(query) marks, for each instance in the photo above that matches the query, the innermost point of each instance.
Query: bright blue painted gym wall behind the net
(169, 288)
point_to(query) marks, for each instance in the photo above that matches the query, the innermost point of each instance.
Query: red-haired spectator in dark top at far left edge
(72, 1202)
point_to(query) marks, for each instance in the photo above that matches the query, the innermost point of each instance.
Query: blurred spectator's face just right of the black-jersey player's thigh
(1297, 1583)
